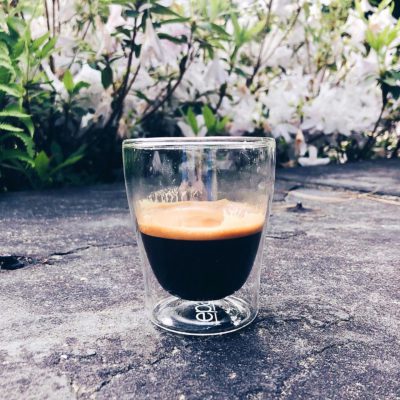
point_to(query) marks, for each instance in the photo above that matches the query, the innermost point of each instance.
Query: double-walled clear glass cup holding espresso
(200, 207)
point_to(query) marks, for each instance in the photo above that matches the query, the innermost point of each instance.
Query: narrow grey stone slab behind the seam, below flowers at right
(380, 177)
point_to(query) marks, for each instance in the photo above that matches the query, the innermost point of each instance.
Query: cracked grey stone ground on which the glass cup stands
(72, 324)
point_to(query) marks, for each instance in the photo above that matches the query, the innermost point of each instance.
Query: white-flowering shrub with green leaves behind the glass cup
(320, 76)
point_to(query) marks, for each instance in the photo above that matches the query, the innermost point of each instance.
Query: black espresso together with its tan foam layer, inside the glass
(200, 250)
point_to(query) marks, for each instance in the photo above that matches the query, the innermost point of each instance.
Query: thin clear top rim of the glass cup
(222, 142)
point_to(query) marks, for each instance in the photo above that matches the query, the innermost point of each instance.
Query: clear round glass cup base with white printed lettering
(203, 318)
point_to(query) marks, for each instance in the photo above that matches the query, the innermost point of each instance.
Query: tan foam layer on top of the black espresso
(198, 220)
